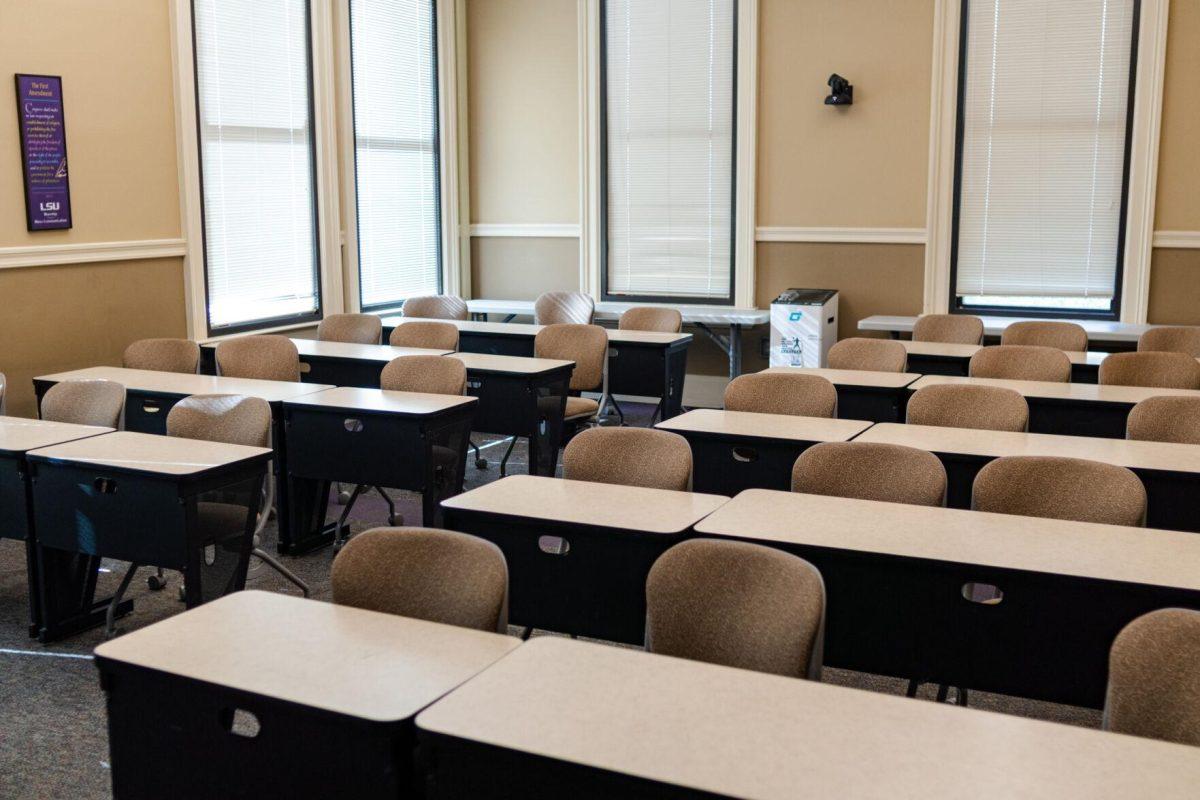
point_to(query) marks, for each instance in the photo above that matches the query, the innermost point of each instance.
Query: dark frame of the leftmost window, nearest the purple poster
(319, 314)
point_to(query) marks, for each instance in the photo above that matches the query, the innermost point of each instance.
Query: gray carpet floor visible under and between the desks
(53, 738)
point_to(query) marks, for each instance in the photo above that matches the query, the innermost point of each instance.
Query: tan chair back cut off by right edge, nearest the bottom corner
(1155, 678)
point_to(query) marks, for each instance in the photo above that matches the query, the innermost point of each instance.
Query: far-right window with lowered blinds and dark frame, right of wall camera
(1043, 148)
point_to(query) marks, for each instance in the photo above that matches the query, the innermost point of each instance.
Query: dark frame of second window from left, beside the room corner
(353, 146)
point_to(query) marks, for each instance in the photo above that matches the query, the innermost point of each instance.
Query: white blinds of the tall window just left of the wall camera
(670, 119)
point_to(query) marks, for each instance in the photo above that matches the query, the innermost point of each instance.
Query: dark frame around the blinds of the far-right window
(956, 302)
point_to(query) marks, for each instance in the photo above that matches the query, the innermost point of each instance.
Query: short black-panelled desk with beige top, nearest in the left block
(179, 504)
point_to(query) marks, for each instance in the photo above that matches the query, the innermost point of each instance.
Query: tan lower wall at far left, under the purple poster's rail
(82, 316)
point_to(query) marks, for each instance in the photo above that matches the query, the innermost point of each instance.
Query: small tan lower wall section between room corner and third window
(523, 268)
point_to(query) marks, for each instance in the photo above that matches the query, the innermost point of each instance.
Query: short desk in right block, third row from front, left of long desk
(740, 450)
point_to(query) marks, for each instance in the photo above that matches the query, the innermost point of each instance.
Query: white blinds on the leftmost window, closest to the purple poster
(256, 155)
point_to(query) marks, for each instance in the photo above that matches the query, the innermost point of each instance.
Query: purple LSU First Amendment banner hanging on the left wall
(44, 153)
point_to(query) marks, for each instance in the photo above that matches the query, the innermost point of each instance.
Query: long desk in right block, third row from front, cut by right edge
(1169, 472)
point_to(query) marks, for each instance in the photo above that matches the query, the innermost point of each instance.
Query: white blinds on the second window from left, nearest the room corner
(394, 59)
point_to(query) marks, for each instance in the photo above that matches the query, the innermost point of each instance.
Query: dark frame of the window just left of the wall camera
(731, 298)
